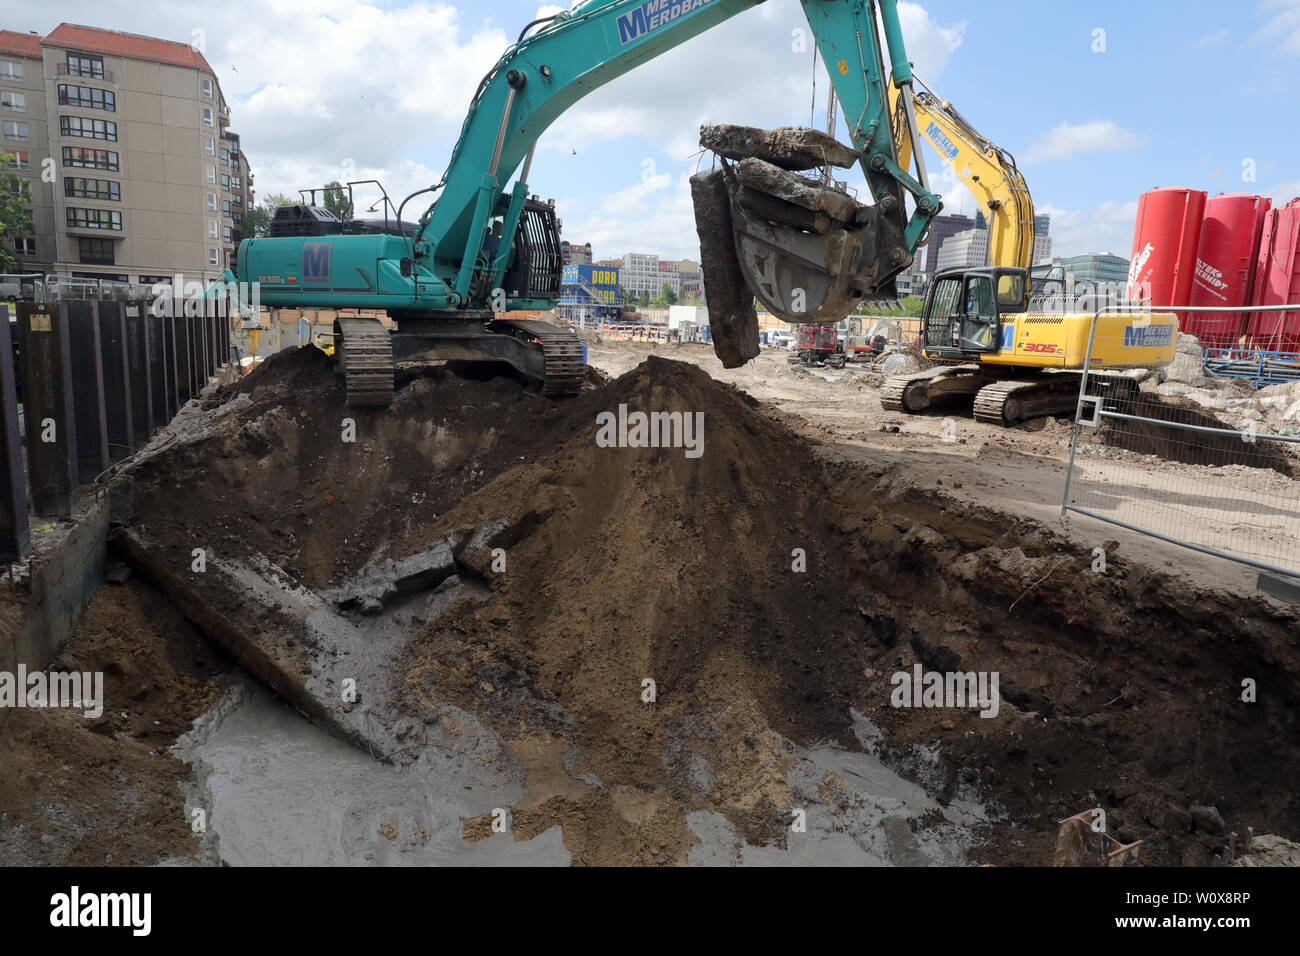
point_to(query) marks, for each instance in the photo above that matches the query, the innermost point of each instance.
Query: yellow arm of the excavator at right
(987, 171)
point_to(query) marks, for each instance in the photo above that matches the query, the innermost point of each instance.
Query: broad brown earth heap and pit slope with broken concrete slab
(527, 581)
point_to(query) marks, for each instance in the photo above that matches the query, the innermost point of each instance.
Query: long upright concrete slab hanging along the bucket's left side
(733, 319)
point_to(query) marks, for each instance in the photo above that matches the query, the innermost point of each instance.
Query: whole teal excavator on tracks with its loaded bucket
(483, 249)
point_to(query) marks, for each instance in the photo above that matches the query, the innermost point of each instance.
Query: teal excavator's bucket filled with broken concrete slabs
(807, 250)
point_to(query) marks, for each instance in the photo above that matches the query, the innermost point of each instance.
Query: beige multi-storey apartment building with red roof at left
(125, 140)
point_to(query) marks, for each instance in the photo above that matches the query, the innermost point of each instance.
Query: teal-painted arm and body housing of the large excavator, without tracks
(466, 241)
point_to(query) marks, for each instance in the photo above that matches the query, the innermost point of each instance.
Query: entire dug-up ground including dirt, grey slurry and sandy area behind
(519, 693)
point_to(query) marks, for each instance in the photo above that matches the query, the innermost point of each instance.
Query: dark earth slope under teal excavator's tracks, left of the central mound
(323, 490)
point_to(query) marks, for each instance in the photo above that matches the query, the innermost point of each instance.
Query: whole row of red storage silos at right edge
(1230, 250)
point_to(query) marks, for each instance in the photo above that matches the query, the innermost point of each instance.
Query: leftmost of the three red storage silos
(1165, 241)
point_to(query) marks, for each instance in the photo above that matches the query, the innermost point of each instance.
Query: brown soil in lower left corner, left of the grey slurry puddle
(106, 791)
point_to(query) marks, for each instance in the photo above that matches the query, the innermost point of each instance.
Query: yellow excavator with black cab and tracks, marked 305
(977, 322)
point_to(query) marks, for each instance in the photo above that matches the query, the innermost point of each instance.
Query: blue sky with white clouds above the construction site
(1098, 102)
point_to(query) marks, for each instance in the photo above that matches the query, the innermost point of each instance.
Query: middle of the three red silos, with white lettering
(1225, 266)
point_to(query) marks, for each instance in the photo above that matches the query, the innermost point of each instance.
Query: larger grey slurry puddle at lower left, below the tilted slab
(280, 791)
